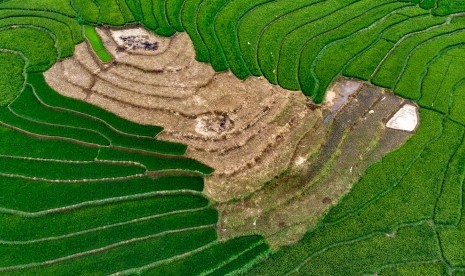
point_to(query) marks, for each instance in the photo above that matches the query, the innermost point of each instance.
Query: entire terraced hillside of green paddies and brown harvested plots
(85, 191)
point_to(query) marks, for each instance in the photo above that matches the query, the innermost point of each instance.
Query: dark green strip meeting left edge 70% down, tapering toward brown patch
(28, 195)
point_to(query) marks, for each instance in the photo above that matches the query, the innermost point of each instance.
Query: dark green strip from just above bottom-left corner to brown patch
(44, 250)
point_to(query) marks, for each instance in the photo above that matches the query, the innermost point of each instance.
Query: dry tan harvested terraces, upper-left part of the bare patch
(248, 131)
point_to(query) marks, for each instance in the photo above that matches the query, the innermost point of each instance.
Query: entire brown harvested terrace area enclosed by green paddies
(280, 161)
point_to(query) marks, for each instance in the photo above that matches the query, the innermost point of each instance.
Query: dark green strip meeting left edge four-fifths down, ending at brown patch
(95, 214)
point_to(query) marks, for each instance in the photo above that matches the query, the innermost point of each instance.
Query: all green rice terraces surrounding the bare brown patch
(403, 218)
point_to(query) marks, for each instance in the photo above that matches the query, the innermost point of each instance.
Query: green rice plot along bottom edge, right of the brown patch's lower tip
(405, 247)
